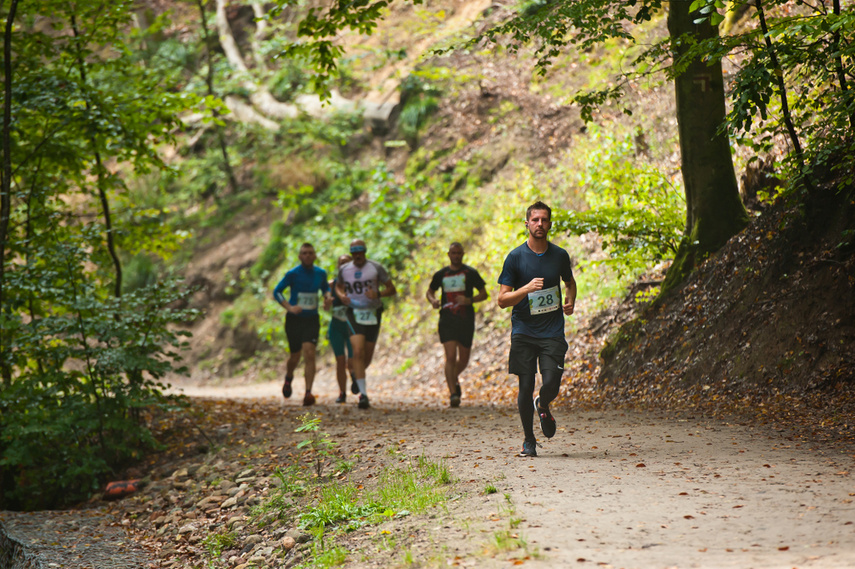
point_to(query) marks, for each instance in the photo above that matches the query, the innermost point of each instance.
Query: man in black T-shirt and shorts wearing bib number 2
(456, 314)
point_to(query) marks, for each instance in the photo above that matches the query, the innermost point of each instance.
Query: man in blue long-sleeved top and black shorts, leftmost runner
(302, 322)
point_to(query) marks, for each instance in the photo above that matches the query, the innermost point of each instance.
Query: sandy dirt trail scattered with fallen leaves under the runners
(612, 489)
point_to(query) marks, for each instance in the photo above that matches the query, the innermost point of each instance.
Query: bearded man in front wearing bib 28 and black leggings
(530, 282)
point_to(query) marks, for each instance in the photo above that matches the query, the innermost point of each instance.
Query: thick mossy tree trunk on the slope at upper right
(714, 211)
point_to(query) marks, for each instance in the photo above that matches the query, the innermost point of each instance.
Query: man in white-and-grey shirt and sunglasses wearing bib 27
(361, 284)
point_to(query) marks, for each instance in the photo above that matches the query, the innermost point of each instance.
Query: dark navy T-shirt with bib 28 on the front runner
(540, 315)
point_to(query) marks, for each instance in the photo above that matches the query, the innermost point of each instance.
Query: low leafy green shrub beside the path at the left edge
(87, 367)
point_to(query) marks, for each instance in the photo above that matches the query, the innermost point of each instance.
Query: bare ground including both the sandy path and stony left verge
(612, 489)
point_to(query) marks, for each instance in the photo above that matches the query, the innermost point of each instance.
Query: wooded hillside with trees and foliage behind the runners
(162, 163)
